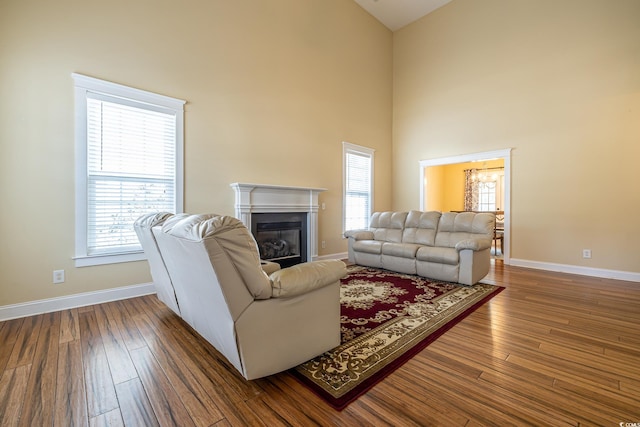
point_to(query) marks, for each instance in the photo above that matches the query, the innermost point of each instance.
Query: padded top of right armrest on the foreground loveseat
(303, 278)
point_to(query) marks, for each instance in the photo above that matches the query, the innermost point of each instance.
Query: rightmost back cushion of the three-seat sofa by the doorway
(454, 227)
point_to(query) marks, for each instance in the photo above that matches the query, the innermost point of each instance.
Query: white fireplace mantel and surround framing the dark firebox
(261, 198)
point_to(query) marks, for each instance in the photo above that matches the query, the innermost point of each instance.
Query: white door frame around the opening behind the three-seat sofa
(505, 155)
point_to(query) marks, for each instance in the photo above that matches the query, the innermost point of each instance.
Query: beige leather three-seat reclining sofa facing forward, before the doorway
(454, 247)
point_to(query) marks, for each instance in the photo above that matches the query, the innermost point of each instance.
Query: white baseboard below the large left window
(32, 308)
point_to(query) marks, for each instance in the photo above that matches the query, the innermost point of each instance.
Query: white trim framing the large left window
(84, 84)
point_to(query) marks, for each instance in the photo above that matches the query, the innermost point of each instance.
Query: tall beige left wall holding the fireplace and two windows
(272, 90)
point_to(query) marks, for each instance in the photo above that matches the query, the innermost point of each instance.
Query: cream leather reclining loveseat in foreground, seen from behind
(262, 324)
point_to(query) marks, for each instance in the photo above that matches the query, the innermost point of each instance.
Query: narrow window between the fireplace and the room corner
(358, 186)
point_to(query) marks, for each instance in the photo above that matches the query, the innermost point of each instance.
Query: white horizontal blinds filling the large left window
(130, 170)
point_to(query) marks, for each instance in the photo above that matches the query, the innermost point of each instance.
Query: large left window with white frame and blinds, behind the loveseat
(129, 147)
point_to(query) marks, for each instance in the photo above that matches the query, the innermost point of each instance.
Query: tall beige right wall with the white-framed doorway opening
(559, 82)
